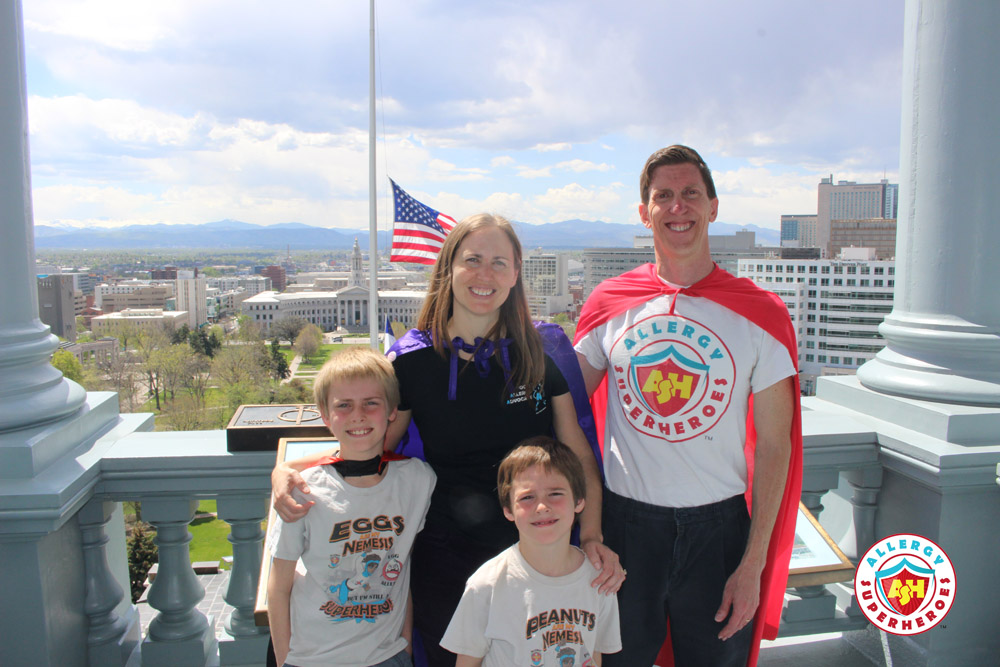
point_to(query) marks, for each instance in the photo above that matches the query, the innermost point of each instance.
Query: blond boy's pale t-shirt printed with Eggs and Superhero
(349, 606)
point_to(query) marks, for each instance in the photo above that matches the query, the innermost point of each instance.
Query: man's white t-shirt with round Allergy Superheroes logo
(678, 389)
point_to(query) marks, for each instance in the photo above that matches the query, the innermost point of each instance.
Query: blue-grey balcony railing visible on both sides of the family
(169, 472)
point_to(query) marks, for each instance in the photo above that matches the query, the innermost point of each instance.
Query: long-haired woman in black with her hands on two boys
(475, 381)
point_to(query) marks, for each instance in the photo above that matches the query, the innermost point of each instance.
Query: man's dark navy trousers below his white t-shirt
(678, 561)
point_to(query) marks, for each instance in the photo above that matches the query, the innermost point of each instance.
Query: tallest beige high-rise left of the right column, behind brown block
(849, 200)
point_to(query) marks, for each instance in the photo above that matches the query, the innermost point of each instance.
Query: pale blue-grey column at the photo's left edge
(31, 390)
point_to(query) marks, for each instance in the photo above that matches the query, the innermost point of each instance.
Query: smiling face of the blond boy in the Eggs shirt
(357, 415)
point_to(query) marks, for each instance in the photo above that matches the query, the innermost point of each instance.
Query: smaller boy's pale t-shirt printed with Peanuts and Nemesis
(514, 616)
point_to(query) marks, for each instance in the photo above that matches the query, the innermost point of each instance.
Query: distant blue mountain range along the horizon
(236, 235)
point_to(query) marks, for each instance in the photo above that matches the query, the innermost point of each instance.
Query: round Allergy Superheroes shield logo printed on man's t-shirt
(679, 378)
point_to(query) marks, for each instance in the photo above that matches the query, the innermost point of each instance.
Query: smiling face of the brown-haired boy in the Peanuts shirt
(542, 505)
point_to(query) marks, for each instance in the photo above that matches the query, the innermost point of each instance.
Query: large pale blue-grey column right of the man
(943, 335)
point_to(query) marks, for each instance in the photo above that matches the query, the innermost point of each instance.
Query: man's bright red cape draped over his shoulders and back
(740, 295)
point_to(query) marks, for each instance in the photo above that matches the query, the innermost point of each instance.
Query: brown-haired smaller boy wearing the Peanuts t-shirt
(533, 603)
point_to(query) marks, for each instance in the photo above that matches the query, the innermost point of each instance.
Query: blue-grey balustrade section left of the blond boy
(169, 472)
